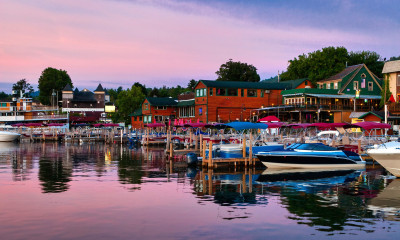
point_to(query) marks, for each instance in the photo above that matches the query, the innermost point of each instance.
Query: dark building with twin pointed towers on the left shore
(84, 106)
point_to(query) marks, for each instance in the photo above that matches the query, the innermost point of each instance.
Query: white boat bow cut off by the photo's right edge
(387, 155)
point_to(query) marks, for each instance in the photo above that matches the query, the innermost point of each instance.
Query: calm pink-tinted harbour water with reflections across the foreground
(93, 191)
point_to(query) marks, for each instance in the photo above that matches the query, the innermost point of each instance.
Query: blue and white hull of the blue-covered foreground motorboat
(286, 160)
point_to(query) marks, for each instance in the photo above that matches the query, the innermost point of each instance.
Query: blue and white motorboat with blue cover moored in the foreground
(311, 155)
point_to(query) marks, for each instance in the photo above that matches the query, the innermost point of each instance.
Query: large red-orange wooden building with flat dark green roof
(226, 101)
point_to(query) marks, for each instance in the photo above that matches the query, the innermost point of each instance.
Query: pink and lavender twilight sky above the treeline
(169, 42)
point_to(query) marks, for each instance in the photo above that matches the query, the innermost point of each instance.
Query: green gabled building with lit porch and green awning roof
(354, 89)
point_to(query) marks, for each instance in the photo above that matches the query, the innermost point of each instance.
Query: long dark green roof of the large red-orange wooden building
(245, 85)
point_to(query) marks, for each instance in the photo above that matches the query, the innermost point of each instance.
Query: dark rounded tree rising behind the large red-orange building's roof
(237, 71)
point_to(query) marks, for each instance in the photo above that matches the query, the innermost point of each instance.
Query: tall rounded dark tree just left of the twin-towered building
(52, 79)
